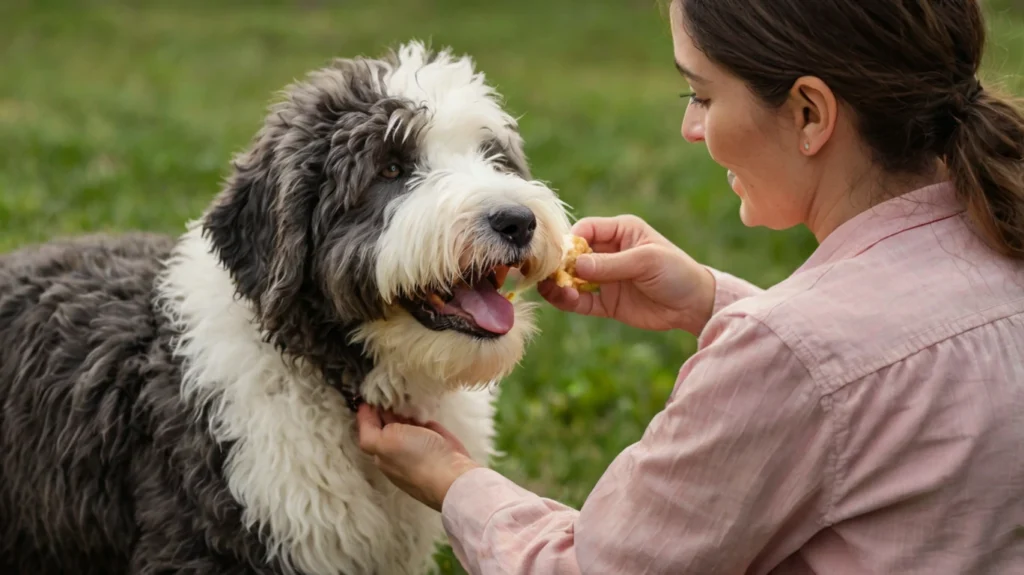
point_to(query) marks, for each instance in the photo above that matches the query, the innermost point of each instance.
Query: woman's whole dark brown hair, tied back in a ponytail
(907, 68)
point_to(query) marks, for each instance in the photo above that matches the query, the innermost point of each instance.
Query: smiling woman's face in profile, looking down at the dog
(761, 148)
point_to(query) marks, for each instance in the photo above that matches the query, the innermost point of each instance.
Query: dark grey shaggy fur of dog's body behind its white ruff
(103, 469)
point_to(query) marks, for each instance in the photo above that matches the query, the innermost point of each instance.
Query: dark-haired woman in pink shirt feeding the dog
(866, 416)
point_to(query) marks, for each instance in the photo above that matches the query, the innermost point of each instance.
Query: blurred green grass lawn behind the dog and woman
(118, 116)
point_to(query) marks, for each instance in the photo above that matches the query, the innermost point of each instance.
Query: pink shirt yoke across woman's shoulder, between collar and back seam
(857, 317)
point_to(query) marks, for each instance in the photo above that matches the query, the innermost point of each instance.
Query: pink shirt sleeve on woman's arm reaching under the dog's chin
(731, 476)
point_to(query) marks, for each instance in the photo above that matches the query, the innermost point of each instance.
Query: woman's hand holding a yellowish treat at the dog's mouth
(646, 281)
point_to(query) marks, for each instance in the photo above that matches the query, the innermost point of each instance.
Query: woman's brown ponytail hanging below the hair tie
(986, 158)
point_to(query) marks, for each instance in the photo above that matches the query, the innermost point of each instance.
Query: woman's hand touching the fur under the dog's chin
(421, 460)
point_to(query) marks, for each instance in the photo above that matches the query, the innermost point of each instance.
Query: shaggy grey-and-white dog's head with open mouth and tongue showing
(382, 205)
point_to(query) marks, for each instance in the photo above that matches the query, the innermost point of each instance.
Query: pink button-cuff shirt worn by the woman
(866, 416)
